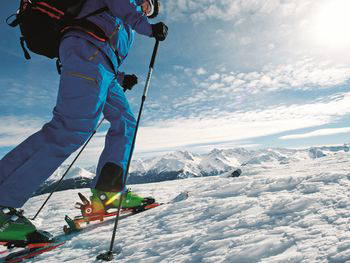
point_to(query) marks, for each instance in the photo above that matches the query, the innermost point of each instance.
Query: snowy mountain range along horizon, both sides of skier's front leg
(184, 164)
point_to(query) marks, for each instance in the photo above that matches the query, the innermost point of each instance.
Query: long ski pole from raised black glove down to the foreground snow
(108, 256)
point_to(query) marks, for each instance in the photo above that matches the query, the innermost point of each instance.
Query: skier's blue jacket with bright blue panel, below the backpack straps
(118, 23)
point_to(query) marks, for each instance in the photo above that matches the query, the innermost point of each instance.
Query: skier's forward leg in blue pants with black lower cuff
(114, 158)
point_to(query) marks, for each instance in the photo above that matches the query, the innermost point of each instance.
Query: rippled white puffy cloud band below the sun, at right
(304, 75)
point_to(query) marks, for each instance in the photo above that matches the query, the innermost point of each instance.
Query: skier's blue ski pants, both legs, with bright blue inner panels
(88, 88)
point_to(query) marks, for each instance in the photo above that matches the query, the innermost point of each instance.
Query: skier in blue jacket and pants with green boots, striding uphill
(90, 85)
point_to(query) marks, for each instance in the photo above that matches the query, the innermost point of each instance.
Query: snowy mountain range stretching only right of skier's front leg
(184, 164)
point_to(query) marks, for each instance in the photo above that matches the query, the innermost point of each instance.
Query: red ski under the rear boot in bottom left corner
(29, 251)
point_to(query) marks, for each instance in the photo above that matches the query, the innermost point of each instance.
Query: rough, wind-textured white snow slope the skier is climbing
(297, 212)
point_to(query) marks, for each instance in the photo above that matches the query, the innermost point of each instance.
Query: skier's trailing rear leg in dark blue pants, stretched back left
(83, 88)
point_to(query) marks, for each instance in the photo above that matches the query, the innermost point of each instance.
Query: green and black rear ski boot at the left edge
(17, 231)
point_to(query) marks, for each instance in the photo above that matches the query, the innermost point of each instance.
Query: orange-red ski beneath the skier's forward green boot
(75, 225)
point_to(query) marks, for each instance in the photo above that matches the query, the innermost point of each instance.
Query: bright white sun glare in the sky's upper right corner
(330, 25)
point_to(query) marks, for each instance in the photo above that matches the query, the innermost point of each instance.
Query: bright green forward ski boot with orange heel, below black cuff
(101, 201)
